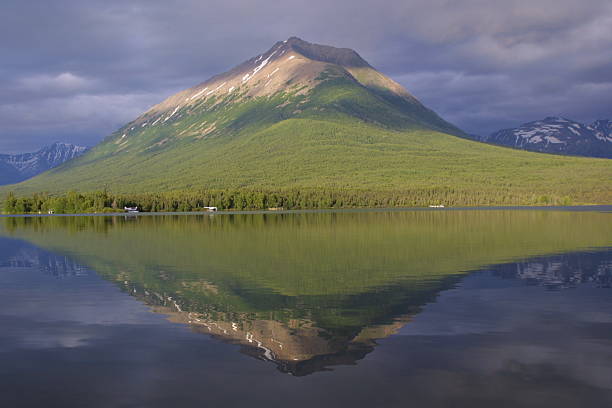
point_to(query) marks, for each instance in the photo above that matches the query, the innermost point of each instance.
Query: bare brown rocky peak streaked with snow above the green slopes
(293, 66)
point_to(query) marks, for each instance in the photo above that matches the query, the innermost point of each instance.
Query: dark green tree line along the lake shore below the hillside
(184, 201)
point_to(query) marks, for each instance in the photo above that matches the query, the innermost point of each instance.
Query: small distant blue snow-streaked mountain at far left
(19, 167)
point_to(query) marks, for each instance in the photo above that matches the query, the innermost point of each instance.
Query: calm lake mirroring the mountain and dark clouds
(437, 308)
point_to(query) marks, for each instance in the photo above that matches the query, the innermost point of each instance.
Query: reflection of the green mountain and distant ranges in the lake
(311, 291)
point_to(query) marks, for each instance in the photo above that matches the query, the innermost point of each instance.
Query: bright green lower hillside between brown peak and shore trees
(309, 153)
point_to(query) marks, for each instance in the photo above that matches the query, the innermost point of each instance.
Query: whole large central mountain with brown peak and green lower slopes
(304, 116)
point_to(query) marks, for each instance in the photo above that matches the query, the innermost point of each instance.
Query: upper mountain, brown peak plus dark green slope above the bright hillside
(303, 80)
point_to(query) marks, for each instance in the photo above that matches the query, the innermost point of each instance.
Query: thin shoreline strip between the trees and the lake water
(596, 208)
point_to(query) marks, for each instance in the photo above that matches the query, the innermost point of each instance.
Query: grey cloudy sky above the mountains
(76, 70)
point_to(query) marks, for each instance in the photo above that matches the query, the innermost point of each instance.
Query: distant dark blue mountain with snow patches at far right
(560, 136)
